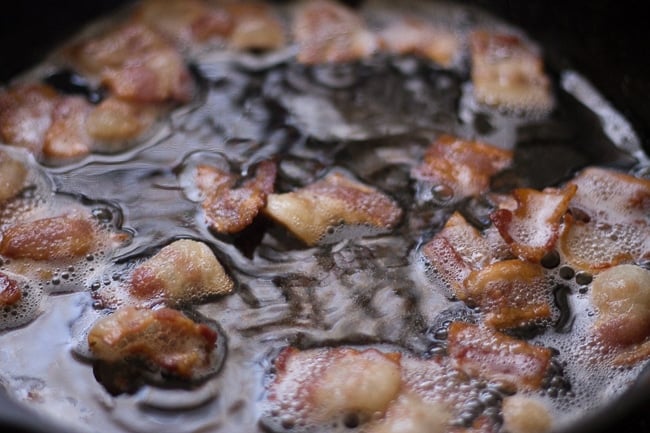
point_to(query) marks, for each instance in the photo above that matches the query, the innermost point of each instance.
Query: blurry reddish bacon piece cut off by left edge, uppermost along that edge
(26, 115)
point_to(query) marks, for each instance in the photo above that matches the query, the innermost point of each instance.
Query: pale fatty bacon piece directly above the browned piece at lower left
(183, 271)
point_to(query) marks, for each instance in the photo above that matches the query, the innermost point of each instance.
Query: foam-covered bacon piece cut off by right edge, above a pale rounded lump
(610, 223)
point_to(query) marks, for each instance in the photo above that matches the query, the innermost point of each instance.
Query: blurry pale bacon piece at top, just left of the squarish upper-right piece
(411, 35)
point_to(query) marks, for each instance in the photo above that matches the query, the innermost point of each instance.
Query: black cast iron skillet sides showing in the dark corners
(603, 40)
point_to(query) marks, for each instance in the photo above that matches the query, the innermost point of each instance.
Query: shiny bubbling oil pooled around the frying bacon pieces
(372, 118)
